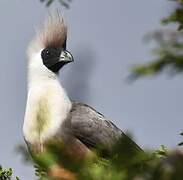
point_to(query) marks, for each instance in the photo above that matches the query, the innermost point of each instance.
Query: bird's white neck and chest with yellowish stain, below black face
(47, 104)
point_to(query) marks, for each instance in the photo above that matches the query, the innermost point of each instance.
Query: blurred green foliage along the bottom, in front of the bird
(123, 162)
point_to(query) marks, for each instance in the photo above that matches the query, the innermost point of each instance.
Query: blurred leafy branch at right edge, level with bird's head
(169, 54)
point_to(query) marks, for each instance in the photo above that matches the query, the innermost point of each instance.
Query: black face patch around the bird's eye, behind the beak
(51, 58)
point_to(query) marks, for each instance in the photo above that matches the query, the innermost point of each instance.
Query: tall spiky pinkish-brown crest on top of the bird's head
(52, 33)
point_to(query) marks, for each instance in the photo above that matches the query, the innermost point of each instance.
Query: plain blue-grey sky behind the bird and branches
(106, 39)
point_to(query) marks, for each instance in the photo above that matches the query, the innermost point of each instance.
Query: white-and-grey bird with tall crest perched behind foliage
(50, 114)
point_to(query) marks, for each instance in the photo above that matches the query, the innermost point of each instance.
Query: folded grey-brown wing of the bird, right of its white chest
(92, 128)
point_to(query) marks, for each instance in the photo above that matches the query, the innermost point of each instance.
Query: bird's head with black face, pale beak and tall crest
(48, 49)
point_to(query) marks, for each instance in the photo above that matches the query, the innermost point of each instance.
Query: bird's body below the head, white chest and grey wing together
(51, 115)
